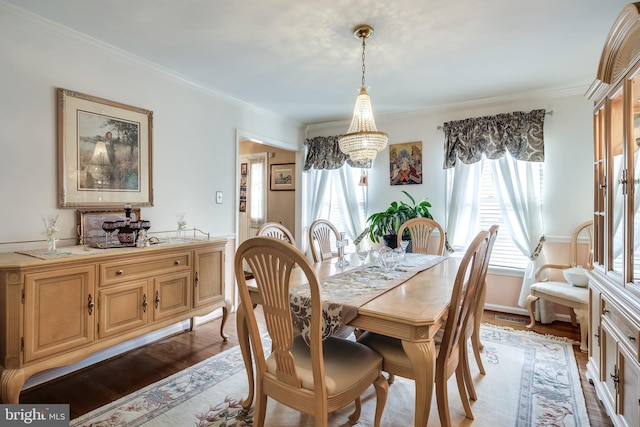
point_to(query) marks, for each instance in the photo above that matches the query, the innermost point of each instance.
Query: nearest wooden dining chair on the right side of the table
(464, 293)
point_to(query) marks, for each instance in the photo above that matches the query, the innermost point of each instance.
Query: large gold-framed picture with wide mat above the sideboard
(104, 152)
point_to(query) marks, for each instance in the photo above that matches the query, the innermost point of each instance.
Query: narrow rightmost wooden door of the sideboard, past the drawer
(209, 276)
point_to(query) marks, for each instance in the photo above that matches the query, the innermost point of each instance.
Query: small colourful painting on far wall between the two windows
(405, 163)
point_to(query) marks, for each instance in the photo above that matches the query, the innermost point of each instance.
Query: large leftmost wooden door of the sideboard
(59, 312)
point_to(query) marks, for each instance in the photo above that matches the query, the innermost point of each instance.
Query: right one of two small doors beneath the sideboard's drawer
(171, 295)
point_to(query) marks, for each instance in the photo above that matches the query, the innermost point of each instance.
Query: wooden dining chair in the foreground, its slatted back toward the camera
(316, 378)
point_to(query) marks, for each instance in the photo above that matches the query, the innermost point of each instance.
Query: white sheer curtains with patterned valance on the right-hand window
(512, 140)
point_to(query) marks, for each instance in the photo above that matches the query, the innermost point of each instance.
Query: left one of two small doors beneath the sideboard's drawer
(123, 308)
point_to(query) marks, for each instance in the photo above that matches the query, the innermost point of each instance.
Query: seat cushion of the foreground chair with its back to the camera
(345, 363)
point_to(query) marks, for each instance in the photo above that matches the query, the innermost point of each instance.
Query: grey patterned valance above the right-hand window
(520, 133)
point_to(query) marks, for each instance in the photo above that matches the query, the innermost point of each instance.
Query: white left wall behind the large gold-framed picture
(194, 136)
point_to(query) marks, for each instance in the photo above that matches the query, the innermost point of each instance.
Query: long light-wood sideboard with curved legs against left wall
(57, 310)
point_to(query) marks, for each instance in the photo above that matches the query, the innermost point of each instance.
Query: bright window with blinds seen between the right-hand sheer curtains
(505, 251)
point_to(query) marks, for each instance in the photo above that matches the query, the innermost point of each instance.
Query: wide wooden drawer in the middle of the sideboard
(117, 272)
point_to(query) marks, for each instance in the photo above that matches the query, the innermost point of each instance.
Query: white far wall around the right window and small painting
(568, 165)
